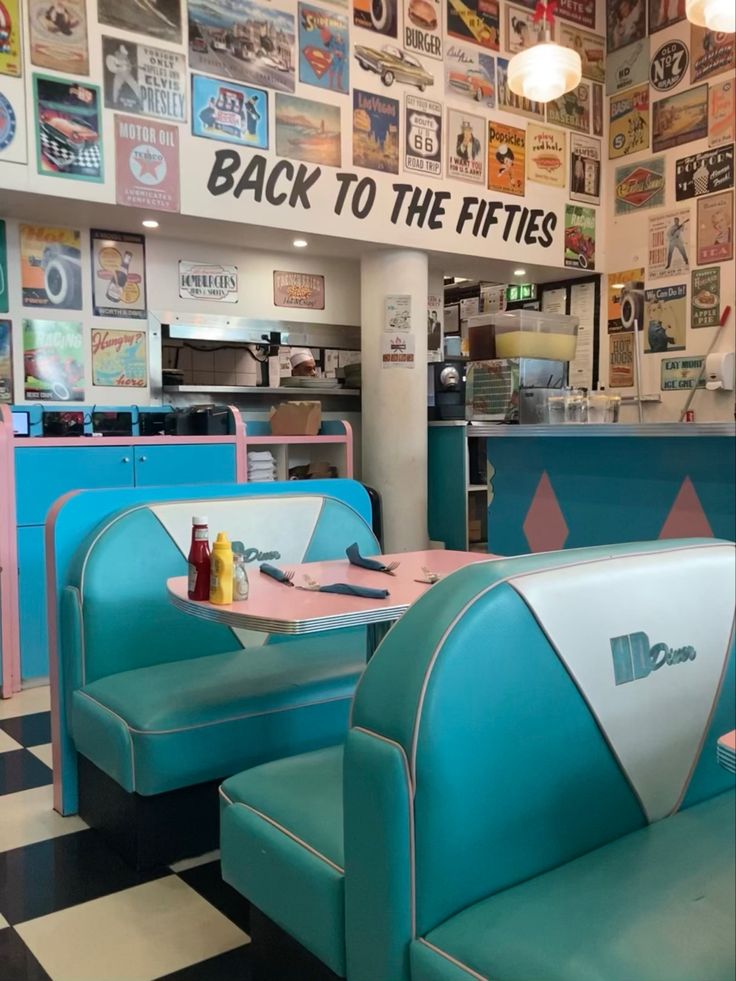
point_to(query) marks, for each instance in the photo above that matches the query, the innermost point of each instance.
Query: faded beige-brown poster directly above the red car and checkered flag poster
(57, 33)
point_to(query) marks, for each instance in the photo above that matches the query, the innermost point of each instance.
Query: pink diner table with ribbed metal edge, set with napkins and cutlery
(275, 608)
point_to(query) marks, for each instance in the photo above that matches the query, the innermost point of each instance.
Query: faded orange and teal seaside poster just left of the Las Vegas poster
(307, 130)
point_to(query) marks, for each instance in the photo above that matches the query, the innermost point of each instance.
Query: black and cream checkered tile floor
(71, 910)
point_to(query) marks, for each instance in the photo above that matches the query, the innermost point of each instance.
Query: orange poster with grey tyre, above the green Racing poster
(51, 267)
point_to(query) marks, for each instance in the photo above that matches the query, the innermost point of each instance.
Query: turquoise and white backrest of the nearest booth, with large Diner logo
(538, 708)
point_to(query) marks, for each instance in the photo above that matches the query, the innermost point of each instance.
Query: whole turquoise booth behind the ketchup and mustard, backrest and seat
(159, 700)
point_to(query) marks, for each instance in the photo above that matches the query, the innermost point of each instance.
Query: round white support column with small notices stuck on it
(394, 399)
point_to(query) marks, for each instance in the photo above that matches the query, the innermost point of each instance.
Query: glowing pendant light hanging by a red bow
(546, 70)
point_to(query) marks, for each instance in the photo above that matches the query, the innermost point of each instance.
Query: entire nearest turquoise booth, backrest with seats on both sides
(529, 788)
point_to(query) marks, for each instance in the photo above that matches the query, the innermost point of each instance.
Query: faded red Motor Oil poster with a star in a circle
(147, 164)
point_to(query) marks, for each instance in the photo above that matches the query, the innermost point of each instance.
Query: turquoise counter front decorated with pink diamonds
(553, 487)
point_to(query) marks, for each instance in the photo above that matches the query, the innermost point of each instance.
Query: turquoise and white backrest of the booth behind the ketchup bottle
(123, 617)
